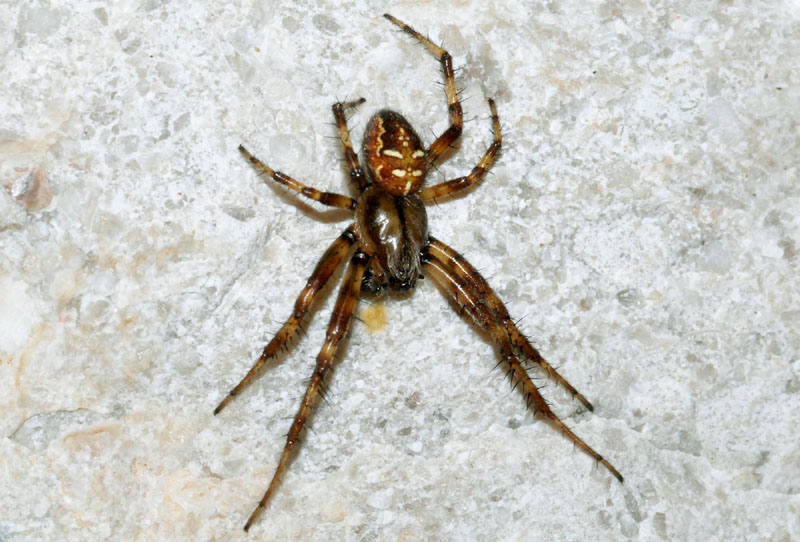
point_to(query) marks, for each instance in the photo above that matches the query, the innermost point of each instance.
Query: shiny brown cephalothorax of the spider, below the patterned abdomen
(395, 230)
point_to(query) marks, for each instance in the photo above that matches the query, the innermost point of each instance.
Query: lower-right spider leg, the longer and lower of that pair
(467, 297)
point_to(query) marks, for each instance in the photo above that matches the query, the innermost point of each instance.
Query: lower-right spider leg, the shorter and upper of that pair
(459, 265)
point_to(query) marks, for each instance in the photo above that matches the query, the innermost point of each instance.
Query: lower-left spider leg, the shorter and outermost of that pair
(325, 268)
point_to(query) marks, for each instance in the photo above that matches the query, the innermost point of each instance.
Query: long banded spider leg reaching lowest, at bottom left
(340, 318)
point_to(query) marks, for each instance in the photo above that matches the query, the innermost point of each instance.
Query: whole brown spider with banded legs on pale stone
(392, 249)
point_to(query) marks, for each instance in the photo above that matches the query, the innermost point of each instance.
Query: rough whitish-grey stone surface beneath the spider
(643, 219)
